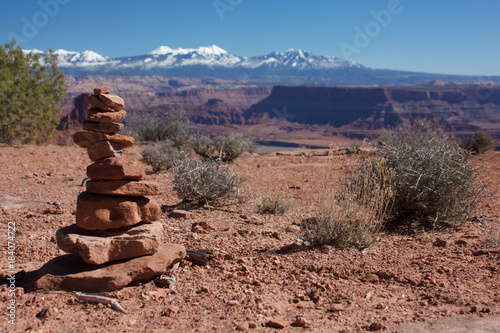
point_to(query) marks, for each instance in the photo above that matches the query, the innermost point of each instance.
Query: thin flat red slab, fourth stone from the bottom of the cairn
(123, 187)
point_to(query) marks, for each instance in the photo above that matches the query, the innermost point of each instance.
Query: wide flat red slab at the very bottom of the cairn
(70, 272)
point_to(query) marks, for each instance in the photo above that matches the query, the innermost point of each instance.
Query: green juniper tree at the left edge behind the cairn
(31, 91)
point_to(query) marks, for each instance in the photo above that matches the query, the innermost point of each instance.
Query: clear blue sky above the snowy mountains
(439, 36)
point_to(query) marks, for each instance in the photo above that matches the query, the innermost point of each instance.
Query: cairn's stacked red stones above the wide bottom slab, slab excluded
(115, 218)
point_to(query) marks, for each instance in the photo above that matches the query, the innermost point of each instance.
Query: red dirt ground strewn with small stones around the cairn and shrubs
(262, 271)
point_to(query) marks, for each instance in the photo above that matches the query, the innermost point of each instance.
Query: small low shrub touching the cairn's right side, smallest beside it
(162, 156)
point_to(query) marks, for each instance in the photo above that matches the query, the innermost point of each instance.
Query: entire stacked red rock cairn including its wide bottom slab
(116, 238)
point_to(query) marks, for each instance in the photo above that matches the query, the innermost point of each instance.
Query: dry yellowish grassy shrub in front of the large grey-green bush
(350, 215)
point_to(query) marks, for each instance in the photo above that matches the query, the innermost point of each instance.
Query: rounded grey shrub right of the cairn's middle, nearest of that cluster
(207, 182)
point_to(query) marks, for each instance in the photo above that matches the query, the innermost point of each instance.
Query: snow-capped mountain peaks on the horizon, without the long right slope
(212, 57)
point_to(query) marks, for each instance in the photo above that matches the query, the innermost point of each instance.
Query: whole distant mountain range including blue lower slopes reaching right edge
(288, 67)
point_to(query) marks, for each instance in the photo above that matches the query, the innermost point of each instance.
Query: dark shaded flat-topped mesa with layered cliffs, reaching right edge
(364, 109)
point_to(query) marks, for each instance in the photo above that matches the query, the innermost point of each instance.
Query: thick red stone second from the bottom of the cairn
(99, 247)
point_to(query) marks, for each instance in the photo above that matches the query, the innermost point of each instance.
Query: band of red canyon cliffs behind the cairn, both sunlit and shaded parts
(352, 111)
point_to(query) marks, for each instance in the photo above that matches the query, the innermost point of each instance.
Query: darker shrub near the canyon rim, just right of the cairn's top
(173, 126)
